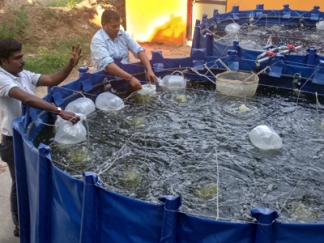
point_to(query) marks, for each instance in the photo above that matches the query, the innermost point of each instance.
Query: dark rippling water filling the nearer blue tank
(171, 145)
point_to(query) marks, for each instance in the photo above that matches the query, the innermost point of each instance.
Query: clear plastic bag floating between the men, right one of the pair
(107, 101)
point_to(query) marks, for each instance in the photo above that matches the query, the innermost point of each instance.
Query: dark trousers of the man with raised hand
(7, 155)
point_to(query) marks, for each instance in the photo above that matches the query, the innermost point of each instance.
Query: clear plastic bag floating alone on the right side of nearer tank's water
(264, 137)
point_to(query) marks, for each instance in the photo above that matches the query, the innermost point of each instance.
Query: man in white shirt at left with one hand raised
(17, 86)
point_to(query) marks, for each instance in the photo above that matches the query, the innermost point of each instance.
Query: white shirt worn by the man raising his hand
(10, 108)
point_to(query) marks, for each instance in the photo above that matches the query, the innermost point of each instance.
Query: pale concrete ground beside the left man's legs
(6, 224)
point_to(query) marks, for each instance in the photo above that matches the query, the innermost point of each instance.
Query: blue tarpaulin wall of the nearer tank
(55, 207)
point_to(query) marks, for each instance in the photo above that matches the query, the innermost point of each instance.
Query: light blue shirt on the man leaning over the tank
(104, 49)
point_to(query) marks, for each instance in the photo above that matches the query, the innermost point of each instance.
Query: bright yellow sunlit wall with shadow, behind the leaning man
(162, 21)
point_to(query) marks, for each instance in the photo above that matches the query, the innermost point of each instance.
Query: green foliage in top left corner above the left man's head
(17, 25)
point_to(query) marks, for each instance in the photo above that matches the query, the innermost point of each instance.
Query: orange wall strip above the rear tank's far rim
(275, 4)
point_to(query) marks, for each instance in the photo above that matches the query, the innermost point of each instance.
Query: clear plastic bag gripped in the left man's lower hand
(67, 133)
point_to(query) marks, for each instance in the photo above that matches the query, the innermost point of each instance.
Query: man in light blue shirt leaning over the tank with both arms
(109, 42)
